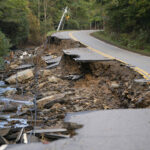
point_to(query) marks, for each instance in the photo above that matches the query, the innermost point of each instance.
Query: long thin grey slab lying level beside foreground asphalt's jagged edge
(48, 131)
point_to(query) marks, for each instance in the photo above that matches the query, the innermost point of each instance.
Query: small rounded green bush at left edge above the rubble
(4, 44)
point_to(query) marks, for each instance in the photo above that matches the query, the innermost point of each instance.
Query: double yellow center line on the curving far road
(145, 74)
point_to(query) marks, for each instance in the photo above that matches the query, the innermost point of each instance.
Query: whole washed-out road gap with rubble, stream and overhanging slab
(62, 77)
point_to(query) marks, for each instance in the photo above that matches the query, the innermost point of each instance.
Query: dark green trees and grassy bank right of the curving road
(126, 24)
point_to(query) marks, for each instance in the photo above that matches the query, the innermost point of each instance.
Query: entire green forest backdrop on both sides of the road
(28, 22)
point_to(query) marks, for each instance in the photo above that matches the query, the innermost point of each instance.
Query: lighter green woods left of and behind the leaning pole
(28, 22)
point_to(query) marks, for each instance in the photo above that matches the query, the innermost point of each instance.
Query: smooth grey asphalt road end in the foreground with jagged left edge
(112, 129)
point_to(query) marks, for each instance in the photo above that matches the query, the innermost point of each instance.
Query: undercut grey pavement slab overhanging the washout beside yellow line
(84, 55)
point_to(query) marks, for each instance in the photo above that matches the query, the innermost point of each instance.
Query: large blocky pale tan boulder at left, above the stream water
(20, 76)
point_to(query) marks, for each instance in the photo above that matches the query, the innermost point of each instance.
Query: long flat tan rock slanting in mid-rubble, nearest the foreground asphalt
(50, 100)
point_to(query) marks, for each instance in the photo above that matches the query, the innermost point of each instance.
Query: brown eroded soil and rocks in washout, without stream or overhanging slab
(69, 87)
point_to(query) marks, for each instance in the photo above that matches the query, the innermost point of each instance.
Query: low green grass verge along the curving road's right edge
(101, 35)
